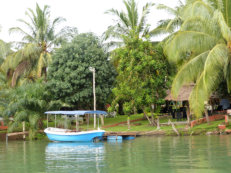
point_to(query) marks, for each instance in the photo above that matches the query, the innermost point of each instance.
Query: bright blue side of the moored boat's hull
(75, 138)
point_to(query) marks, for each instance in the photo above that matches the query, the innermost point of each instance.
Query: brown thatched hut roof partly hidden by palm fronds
(183, 95)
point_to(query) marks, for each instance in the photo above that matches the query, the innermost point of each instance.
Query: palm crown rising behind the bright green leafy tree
(127, 21)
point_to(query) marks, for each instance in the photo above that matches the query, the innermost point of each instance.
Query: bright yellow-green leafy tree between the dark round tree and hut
(142, 72)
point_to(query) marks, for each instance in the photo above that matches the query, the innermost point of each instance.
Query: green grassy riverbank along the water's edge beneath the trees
(141, 127)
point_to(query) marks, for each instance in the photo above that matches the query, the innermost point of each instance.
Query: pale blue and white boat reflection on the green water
(74, 157)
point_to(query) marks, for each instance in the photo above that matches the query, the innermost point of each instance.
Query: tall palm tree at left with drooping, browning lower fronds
(37, 43)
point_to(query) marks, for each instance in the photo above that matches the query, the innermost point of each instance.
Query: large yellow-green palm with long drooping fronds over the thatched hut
(202, 48)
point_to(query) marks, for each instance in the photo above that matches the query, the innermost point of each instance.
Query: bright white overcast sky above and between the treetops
(86, 15)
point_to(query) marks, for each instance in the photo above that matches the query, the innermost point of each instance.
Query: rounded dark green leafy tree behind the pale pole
(70, 79)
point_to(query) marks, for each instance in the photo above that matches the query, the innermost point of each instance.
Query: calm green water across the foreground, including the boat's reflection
(144, 154)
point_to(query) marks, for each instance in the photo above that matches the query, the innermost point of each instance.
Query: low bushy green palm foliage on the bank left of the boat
(28, 103)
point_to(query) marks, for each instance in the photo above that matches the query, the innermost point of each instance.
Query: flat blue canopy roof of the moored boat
(82, 112)
